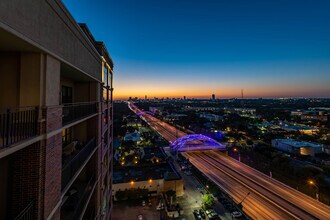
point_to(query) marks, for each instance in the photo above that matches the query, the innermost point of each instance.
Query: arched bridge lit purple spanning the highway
(196, 142)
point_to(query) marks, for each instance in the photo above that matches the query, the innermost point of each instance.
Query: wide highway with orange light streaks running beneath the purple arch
(268, 198)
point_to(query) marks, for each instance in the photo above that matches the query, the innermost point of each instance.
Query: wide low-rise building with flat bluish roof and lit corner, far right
(297, 146)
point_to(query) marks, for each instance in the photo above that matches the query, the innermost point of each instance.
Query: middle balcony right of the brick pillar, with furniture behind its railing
(73, 158)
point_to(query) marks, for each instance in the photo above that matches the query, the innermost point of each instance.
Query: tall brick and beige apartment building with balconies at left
(55, 115)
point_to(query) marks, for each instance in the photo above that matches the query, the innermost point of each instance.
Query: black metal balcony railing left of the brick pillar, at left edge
(18, 125)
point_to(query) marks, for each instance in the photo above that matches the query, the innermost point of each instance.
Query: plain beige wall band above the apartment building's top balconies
(48, 25)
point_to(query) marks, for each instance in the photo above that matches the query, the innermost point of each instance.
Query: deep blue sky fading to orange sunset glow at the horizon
(193, 48)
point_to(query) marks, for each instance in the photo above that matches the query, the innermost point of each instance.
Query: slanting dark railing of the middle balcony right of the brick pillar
(71, 168)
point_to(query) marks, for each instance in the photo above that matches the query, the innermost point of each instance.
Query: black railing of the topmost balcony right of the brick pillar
(75, 111)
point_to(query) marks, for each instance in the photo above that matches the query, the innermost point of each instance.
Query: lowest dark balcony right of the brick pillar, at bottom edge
(77, 198)
